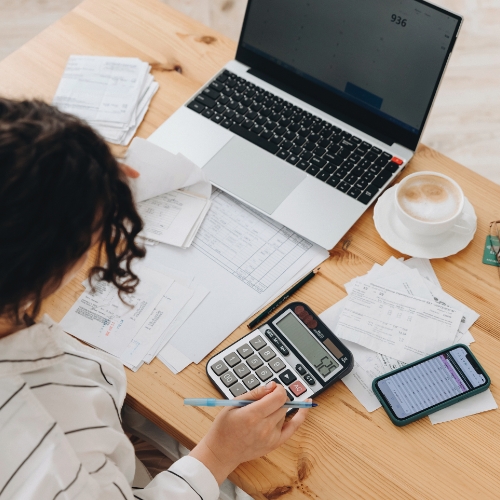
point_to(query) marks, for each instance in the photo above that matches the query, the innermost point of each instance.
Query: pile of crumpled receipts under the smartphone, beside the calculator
(396, 314)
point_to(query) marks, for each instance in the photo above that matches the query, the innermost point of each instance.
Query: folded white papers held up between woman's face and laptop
(173, 194)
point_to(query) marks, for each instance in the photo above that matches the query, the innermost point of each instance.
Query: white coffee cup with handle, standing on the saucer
(458, 223)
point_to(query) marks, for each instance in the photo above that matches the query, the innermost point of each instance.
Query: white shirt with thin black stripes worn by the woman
(60, 430)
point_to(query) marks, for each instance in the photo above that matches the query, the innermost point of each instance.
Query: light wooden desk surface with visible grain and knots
(341, 451)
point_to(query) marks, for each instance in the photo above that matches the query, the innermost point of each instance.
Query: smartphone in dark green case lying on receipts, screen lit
(430, 384)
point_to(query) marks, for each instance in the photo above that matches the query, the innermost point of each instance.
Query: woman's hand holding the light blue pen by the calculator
(242, 434)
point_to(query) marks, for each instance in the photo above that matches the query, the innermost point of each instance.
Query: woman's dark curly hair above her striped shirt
(60, 186)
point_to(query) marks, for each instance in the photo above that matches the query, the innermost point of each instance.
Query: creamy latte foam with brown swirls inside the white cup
(429, 198)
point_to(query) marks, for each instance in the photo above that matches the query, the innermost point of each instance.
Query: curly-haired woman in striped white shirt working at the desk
(61, 193)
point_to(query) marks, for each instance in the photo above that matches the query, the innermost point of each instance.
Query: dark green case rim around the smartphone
(417, 416)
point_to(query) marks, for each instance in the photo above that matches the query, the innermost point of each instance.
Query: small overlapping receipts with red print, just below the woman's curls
(137, 330)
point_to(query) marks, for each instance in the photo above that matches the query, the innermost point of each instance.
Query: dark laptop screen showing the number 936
(386, 56)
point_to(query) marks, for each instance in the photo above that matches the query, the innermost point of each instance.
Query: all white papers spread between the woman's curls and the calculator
(242, 257)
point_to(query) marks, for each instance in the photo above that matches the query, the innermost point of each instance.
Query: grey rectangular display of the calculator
(307, 345)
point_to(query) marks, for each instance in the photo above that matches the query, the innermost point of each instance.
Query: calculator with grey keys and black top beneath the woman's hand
(294, 348)
